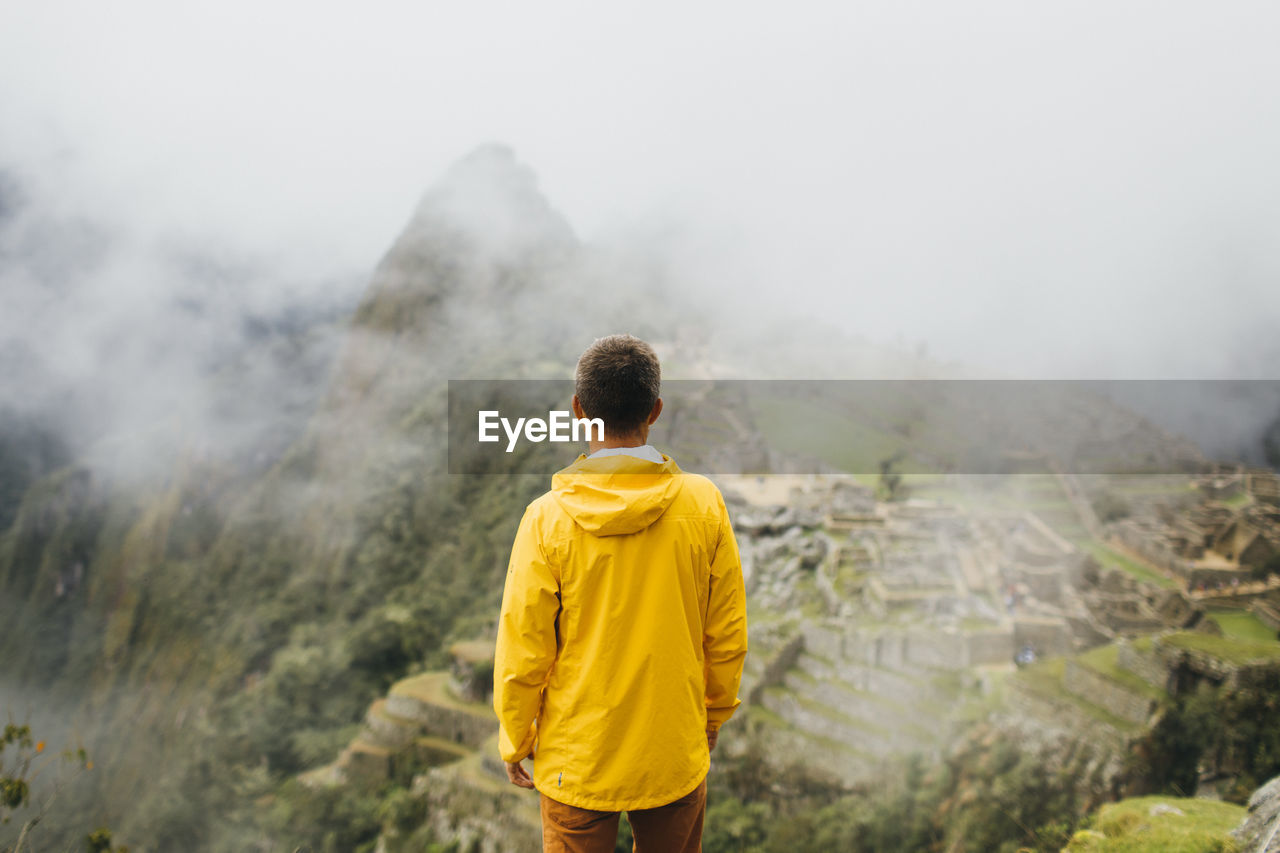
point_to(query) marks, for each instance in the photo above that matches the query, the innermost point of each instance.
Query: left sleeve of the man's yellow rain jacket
(527, 642)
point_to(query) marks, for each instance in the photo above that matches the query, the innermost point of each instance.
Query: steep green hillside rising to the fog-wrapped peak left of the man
(213, 635)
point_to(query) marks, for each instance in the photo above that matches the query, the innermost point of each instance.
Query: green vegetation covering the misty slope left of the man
(273, 622)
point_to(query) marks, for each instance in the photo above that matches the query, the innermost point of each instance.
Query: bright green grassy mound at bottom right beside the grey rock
(1130, 827)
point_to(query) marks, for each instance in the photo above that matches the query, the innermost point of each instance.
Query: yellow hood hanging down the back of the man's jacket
(616, 495)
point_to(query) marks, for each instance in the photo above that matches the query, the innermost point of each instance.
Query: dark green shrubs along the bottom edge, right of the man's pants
(990, 793)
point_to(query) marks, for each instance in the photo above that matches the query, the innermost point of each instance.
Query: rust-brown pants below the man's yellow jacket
(675, 828)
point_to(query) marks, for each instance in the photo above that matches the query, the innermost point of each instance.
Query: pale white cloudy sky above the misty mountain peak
(1043, 189)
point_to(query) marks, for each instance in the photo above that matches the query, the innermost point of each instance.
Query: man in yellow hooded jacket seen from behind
(624, 628)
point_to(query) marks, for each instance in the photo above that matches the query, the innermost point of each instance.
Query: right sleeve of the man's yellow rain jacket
(725, 630)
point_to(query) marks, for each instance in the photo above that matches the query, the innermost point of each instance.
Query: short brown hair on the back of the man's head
(618, 381)
